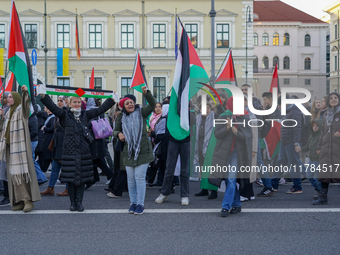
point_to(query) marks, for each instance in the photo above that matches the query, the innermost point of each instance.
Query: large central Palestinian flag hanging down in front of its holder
(188, 79)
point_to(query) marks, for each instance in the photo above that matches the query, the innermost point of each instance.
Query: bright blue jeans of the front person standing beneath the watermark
(232, 195)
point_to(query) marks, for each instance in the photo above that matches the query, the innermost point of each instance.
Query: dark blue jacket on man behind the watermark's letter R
(291, 134)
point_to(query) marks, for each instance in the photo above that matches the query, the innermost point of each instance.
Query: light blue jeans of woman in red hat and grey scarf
(136, 183)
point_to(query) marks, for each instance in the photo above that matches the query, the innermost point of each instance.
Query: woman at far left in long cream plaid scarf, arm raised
(16, 151)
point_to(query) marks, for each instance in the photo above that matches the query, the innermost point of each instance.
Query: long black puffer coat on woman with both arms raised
(76, 165)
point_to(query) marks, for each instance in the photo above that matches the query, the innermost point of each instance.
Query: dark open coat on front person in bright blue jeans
(224, 140)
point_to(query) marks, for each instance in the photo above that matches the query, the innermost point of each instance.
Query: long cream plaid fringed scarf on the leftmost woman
(18, 168)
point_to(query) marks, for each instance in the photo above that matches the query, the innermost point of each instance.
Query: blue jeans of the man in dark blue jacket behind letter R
(290, 158)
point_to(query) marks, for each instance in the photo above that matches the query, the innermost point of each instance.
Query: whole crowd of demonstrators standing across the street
(146, 155)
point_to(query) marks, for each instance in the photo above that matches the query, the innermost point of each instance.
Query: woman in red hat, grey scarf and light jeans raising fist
(130, 128)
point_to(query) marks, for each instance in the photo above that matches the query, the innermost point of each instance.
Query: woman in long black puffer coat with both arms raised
(76, 164)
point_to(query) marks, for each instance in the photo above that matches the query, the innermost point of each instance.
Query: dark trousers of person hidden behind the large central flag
(183, 149)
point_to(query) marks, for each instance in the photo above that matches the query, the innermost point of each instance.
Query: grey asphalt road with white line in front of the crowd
(52, 229)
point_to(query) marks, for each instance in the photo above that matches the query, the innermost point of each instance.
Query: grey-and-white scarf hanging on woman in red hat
(132, 125)
